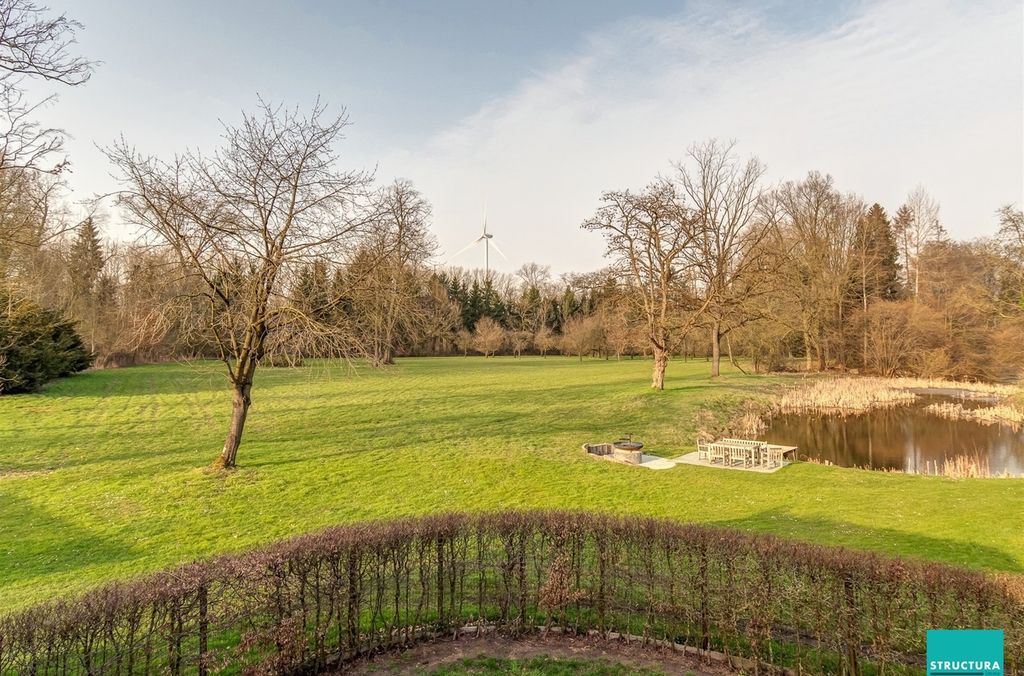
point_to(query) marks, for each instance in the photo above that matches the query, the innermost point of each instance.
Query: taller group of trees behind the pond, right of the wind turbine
(801, 272)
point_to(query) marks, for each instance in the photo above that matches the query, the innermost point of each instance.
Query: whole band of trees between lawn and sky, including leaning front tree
(267, 251)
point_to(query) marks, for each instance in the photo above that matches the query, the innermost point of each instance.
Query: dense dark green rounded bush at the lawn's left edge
(36, 347)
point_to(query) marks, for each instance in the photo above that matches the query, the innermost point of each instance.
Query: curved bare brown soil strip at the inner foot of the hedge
(426, 658)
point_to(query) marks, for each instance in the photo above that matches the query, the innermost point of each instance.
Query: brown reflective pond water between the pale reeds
(905, 438)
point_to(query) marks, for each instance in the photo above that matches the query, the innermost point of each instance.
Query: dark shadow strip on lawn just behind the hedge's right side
(882, 540)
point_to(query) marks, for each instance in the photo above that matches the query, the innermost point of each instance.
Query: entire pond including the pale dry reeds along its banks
(910, 426)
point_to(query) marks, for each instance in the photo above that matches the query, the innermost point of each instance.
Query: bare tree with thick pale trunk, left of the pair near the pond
(648, 236)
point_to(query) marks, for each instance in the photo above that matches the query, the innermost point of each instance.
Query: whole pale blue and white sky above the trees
(530, 110)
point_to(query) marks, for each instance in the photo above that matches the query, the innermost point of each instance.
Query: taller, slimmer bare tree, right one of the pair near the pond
(729, 251)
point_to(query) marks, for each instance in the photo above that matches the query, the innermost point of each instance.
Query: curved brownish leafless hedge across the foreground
(316, 602)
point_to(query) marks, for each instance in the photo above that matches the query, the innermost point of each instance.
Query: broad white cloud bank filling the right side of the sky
(901, 94)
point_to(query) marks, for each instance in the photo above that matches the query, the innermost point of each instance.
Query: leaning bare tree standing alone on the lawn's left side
(242, 223)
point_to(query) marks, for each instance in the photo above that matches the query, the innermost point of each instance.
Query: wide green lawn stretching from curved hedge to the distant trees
(104, 476)
